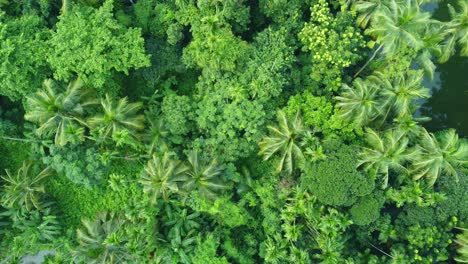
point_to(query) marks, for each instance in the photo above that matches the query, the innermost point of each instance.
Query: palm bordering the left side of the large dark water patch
(400, 94)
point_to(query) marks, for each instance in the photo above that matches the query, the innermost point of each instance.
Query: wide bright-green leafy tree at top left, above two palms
(107, 47)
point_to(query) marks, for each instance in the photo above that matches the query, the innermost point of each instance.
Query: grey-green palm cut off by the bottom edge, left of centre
(98, 242)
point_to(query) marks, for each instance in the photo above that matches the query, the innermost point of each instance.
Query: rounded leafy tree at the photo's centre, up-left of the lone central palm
(230, 126)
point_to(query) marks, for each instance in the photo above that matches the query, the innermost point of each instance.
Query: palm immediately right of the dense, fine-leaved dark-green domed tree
(385, 153)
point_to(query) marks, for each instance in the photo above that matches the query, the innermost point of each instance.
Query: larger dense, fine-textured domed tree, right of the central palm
(337, 175)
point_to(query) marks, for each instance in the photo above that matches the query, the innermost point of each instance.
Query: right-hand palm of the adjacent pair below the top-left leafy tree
(116, 117)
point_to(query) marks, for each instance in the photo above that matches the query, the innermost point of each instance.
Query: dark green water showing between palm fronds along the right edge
(448, 106)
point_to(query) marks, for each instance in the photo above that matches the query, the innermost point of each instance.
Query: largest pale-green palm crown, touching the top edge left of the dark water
(403, 28)
